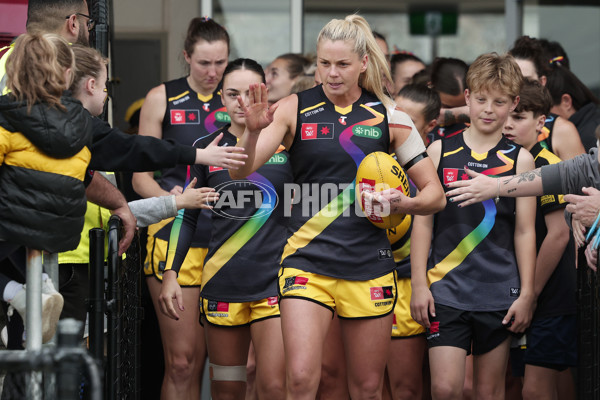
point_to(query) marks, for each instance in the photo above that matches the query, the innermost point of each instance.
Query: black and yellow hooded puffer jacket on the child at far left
(43, 158)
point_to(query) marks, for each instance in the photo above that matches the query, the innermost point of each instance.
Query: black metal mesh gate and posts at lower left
(122, 306)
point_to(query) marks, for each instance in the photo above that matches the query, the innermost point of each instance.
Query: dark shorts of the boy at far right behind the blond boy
(552, 342)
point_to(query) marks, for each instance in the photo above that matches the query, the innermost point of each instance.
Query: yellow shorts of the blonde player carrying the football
(350, 299)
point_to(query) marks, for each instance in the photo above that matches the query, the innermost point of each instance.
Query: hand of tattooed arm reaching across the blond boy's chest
(470, 191)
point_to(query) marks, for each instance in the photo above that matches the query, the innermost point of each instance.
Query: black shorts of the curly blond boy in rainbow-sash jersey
(476, 331)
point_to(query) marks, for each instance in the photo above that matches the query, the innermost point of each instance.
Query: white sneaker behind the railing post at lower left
(52, 305)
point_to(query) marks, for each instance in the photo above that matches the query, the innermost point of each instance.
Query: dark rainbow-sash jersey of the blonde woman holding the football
(329, 235)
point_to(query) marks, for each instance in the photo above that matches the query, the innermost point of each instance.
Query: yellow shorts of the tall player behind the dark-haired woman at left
(190, 273)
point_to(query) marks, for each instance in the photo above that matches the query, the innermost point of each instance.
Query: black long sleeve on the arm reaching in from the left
(114, 150)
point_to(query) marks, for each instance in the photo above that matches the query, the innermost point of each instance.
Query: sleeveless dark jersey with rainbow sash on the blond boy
(472, 265)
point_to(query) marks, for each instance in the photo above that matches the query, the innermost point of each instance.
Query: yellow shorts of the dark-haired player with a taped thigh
(221, 313)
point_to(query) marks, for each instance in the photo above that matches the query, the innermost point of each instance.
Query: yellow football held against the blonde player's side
(380, 171)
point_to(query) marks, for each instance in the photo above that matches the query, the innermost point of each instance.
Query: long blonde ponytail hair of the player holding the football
(356, 29)
